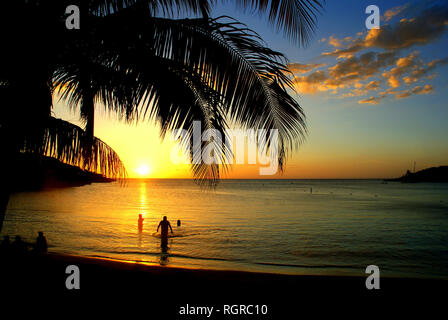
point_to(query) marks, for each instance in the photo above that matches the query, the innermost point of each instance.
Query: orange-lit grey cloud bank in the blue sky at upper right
(371, 65)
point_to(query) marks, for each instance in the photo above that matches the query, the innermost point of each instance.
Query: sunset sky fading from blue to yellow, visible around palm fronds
(375, 100)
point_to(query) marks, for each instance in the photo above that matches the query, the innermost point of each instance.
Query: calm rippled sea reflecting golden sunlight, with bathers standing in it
(274, 226)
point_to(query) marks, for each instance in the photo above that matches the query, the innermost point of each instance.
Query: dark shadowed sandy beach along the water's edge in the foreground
(108, 286)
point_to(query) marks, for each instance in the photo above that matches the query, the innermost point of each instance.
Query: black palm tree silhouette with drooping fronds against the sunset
(144, 59)
